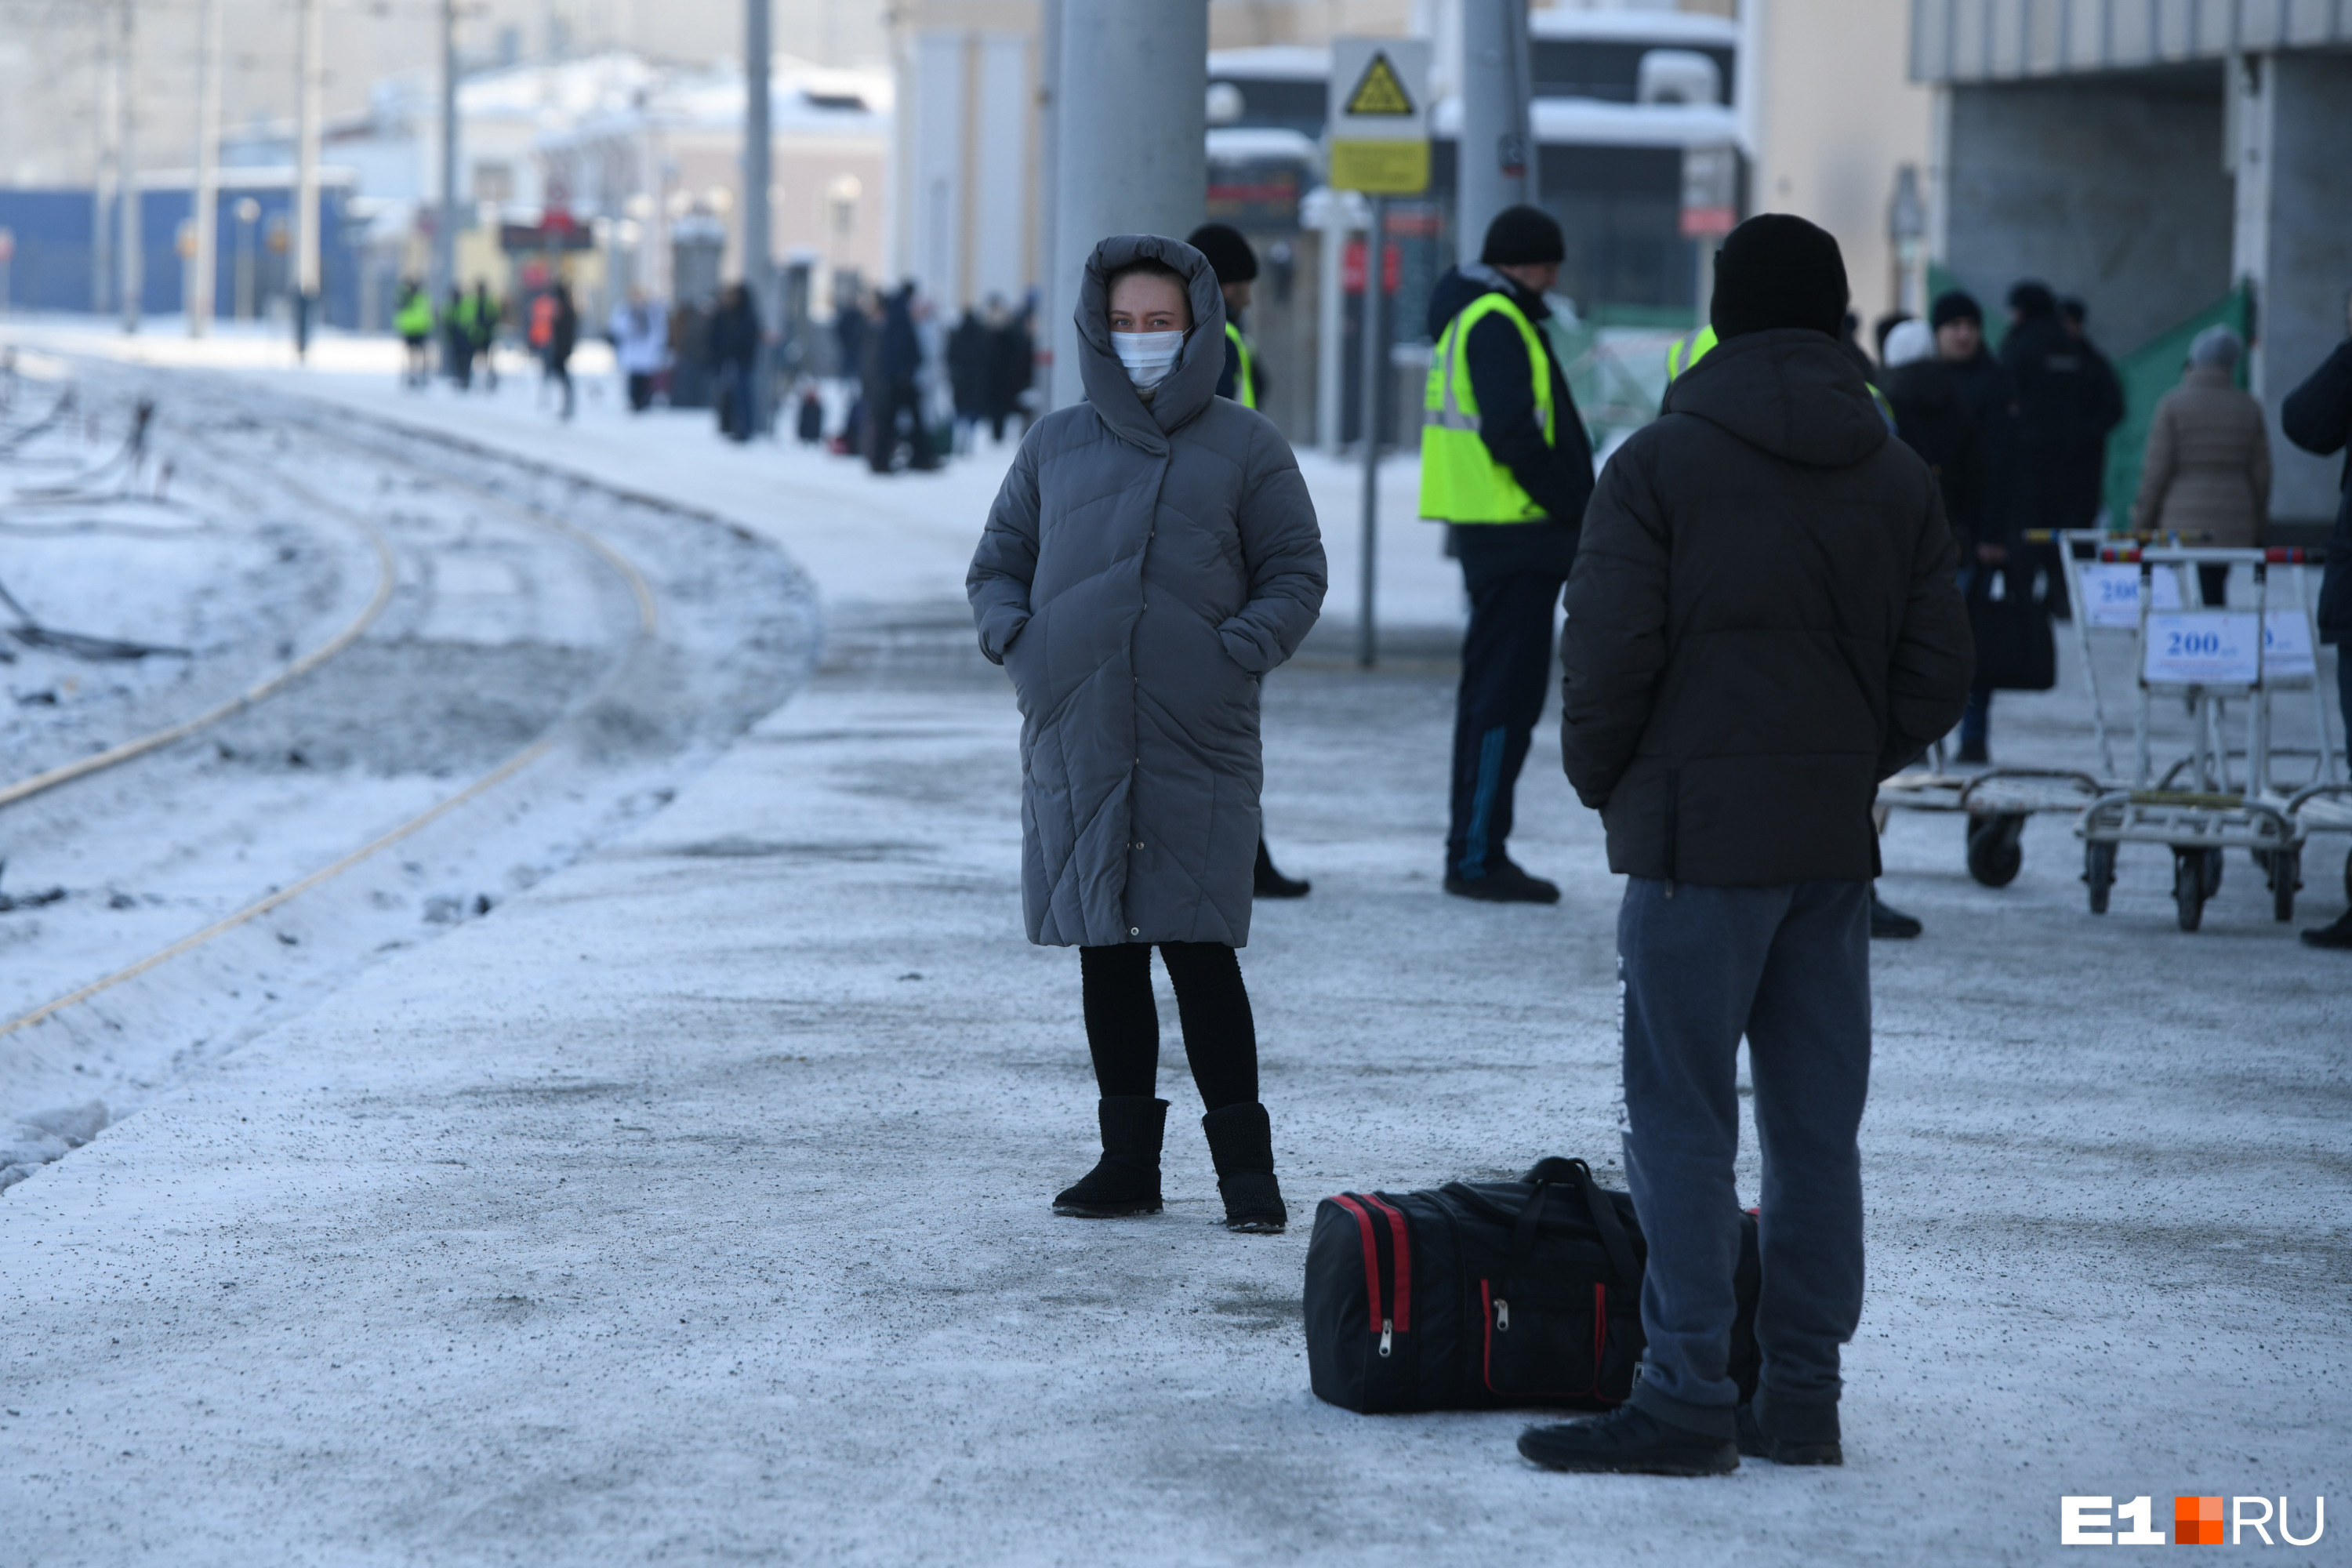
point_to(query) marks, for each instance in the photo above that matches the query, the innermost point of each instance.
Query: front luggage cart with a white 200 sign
(2212, 657)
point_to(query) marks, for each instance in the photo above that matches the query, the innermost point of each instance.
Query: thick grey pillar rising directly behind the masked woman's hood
(1132, 142)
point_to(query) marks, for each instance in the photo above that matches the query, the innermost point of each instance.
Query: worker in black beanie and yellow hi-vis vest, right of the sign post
(1506, 464)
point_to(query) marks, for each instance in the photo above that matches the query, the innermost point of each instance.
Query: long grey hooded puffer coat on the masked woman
(1142, 570)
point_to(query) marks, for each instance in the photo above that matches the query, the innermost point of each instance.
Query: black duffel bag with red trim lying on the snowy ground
(1490, 1294)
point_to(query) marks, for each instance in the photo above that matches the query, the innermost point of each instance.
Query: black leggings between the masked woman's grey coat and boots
(1123, 1024)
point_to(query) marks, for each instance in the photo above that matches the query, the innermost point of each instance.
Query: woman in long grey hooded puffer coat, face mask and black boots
(1154, 554)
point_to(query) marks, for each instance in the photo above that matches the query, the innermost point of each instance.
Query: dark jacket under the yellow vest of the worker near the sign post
(1556, 476)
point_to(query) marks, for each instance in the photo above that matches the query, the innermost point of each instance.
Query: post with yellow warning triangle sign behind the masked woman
(1379, 147)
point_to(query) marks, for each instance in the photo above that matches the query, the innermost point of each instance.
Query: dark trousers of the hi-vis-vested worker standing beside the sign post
(1506, 671)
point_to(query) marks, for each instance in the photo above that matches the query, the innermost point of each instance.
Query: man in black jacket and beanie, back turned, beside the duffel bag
(1763, 626)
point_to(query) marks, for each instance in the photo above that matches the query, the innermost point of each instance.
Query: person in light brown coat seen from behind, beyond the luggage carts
(2207, 471)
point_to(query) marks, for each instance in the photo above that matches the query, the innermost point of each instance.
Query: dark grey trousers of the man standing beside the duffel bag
(1789, 967)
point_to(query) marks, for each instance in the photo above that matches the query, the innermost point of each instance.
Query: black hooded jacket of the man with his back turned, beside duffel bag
(1763, 624)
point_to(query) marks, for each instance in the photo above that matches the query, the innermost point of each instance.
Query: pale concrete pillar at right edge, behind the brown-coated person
(2292, 119)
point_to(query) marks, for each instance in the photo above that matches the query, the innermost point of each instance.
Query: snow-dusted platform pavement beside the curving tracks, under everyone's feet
(693, 1207)
